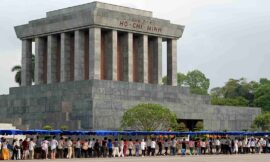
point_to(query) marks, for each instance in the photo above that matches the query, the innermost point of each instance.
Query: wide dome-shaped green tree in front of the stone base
(149, 117)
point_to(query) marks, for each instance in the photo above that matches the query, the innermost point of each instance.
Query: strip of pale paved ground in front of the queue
(213, 158)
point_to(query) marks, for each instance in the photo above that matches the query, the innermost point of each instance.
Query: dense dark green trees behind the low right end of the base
(239, 92)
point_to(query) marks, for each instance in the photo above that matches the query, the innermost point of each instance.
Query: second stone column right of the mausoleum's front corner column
(128, 57)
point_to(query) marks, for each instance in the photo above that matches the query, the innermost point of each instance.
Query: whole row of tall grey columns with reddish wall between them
(98, 54)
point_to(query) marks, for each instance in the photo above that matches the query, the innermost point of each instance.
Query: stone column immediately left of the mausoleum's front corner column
(79, 55)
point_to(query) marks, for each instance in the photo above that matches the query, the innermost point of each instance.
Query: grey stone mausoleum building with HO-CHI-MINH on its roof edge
(94, 61)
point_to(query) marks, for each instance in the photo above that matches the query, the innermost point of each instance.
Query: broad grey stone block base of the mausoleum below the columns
(100, 104)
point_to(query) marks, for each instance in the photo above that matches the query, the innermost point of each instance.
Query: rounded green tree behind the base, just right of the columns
(197, 82)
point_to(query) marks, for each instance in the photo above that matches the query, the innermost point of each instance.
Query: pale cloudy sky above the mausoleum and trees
(223, 38)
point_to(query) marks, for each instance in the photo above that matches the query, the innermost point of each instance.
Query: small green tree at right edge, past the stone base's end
(262, 121)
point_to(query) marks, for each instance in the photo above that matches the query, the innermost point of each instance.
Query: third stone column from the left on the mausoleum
(51, 63)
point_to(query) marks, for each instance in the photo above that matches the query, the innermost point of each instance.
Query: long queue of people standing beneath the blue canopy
(67, 147)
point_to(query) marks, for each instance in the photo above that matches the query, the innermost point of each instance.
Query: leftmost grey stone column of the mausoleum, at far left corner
(26, 71)
